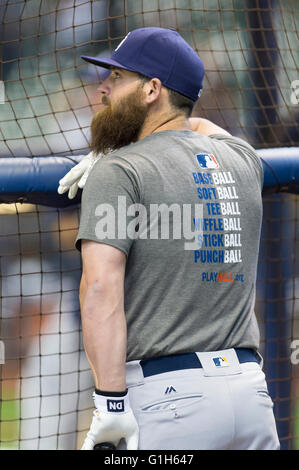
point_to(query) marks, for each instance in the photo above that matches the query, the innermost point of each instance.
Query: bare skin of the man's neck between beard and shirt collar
(164, 123)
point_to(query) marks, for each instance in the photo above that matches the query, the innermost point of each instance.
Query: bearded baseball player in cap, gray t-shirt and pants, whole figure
(168, 320)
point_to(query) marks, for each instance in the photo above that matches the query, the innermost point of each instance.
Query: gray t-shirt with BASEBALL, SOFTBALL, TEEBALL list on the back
(182, 294)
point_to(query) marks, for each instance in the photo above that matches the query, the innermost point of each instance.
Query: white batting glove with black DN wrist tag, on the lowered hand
(113, 420)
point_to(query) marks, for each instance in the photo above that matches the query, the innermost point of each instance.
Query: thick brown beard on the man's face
(119, 124)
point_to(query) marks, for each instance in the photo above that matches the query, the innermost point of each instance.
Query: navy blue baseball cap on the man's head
(160, 53)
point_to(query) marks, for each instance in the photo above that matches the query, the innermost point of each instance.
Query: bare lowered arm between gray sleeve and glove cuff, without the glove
(102, 312)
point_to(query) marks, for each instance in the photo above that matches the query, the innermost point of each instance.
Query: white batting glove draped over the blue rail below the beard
(77, 176)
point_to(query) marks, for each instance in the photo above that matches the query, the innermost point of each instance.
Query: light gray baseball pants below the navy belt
(223, 405)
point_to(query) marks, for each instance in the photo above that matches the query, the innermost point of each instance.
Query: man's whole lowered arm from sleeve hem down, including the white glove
(105, 338)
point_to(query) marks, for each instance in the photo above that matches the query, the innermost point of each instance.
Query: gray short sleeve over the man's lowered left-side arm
(111, 188)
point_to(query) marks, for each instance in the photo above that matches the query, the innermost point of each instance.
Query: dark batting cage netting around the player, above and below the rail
(47, 100)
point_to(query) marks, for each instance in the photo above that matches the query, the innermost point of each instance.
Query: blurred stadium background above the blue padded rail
(249, 48)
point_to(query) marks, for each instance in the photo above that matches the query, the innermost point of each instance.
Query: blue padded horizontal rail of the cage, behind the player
(35, 180)
